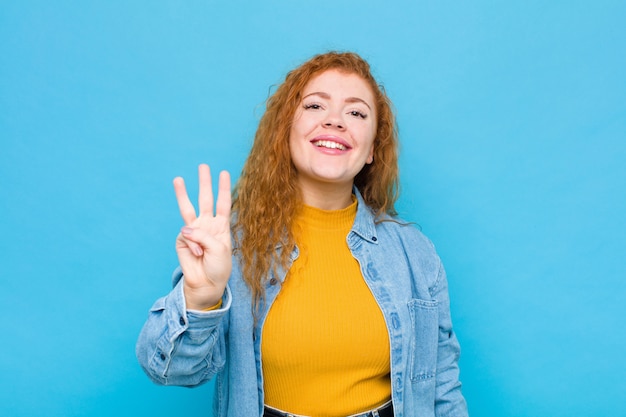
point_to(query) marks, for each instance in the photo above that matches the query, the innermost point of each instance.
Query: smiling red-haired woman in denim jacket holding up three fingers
(326, 304)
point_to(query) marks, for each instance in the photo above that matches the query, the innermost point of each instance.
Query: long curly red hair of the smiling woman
(267, 197)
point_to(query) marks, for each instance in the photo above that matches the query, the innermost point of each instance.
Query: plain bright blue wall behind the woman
(513, 124)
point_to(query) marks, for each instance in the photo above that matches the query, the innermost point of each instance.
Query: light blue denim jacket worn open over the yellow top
(399, 264)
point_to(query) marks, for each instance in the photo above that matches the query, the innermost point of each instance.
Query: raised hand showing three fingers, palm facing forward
(204, 245)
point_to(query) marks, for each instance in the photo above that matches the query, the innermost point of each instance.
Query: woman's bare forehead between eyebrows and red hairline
(341, 85)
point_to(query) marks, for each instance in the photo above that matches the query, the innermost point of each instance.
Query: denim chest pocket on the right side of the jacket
(424, 340)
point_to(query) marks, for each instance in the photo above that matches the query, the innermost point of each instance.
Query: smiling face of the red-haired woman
(333, 131)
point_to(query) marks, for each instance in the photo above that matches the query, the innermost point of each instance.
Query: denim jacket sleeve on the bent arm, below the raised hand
(182, 347)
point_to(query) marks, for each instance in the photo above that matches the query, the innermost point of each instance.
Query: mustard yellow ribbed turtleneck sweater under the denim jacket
(325, 346)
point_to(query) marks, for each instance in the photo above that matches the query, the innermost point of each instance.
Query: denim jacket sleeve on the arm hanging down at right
(449, 400)
